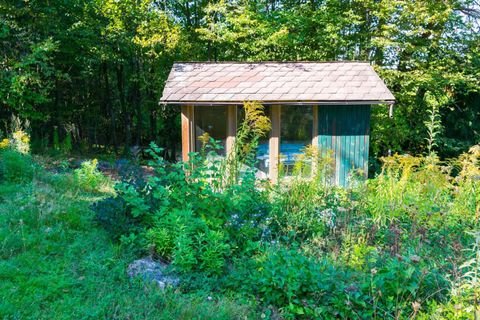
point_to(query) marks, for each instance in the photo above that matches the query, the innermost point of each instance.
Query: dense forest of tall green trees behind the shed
(88, 74)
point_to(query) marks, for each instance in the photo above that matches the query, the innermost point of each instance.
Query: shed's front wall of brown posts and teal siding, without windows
(344, 129)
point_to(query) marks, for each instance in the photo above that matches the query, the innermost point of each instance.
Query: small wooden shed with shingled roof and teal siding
(323, 104)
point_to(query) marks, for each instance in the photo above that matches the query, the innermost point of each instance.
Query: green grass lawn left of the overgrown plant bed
(56, 263)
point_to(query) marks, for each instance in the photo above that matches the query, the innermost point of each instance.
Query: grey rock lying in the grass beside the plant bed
(152, 271)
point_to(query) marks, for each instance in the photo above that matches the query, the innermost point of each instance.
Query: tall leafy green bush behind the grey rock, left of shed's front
(182, 223)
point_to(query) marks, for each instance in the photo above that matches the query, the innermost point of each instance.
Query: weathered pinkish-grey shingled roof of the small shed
(275, 83)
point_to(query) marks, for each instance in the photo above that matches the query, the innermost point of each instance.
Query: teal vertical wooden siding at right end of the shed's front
(346, 131)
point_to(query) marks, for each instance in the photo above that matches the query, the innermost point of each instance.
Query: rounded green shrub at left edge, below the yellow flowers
(15, 166)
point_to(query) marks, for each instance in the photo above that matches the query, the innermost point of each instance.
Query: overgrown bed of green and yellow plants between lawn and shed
(315, 250)
